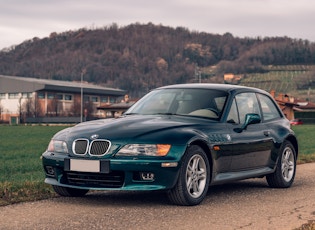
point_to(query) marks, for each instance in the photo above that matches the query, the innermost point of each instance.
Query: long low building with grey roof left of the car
(22, 98)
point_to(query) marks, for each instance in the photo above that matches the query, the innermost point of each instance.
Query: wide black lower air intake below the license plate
(98, 180)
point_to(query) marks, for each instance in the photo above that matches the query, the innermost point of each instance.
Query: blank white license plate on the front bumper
(85, 165)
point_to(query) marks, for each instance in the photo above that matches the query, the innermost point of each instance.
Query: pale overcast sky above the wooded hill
(21, 20)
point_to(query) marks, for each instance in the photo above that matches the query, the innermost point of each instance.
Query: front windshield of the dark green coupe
(207, 103)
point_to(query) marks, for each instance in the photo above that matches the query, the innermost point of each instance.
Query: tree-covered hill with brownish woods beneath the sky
(140, 57)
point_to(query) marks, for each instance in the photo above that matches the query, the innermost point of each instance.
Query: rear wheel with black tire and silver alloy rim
(284, 174)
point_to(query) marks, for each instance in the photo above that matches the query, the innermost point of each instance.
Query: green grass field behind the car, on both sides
(21, 173)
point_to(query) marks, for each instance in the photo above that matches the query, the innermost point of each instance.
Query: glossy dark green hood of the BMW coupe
(133, 127)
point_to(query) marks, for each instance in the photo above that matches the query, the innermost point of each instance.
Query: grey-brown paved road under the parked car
(249, 204)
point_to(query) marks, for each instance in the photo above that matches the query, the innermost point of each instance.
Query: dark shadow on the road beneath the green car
(159, 198)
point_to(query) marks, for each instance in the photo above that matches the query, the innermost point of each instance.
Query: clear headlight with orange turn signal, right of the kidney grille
(144, 150)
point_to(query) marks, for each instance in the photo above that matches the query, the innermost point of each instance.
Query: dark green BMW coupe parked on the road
(178, 138)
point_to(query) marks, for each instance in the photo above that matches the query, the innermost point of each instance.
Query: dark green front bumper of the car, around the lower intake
(121, 174)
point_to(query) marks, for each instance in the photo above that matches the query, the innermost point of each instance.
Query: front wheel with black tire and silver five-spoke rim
(193, 180)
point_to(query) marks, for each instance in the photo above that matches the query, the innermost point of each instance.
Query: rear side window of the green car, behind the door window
(269, 109)
